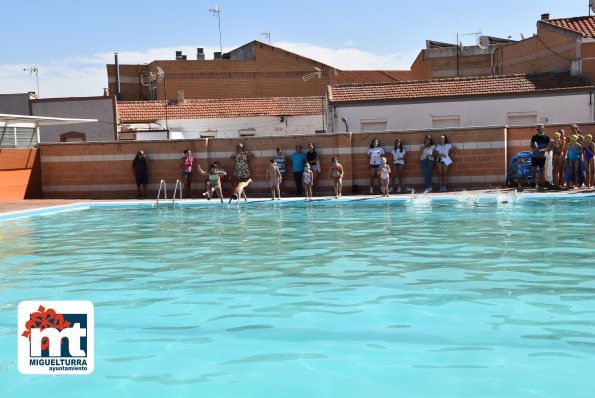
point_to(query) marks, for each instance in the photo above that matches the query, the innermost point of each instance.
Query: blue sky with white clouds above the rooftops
(69, 42)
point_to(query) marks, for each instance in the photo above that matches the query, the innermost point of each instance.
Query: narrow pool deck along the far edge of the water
(33, 204)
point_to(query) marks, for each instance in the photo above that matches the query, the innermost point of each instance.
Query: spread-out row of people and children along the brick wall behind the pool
(306, 169)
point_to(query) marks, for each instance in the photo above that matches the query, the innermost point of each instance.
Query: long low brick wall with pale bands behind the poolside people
(96, 170)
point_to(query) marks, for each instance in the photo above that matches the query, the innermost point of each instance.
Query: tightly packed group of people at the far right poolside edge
(564, 162)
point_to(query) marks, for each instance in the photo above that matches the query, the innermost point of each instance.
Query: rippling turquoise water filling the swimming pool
(472, 297)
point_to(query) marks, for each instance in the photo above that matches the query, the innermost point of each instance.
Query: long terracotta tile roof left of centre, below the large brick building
(147, 111)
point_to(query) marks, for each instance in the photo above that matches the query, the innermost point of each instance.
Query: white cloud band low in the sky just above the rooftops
(86, 75)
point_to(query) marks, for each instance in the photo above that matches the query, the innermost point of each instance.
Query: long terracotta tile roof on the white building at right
(459, 87)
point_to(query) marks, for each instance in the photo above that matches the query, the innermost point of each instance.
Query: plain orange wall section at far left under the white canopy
(20, 174)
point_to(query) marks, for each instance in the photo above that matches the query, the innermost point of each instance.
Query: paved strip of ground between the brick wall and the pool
(31, 204)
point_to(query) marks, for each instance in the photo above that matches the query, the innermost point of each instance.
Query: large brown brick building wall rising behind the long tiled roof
(274, 73)
